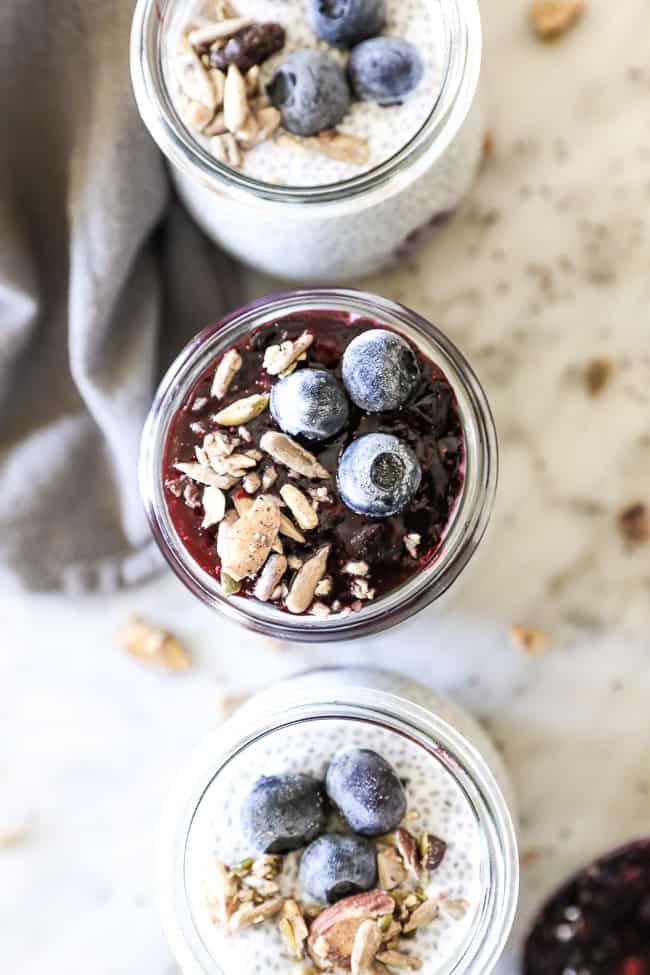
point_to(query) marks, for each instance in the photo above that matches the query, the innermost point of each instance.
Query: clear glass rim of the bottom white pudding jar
(391, 712)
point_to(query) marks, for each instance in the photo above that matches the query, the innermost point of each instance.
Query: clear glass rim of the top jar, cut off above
(460, 80)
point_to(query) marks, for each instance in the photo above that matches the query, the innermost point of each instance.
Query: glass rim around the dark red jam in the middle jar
(468, 521)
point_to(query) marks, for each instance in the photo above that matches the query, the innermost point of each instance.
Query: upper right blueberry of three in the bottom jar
(366, 790)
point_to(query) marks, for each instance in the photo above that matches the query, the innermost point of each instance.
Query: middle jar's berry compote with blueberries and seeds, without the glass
(316, 464)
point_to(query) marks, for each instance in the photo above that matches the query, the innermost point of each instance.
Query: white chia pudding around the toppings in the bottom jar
(435, 805)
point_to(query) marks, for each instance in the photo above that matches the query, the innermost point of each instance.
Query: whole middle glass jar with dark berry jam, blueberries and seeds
(319, 465)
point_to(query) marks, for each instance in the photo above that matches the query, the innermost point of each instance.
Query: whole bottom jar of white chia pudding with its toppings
(342, 819)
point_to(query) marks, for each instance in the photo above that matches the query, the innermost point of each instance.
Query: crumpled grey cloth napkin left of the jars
(102, 279)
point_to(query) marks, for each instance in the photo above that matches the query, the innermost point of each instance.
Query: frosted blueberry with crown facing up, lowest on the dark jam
(378, 475)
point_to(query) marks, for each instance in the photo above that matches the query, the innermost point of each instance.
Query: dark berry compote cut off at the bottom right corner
(599, 922)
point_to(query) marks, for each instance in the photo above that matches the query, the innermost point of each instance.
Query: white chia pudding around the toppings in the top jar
(380, 130)
